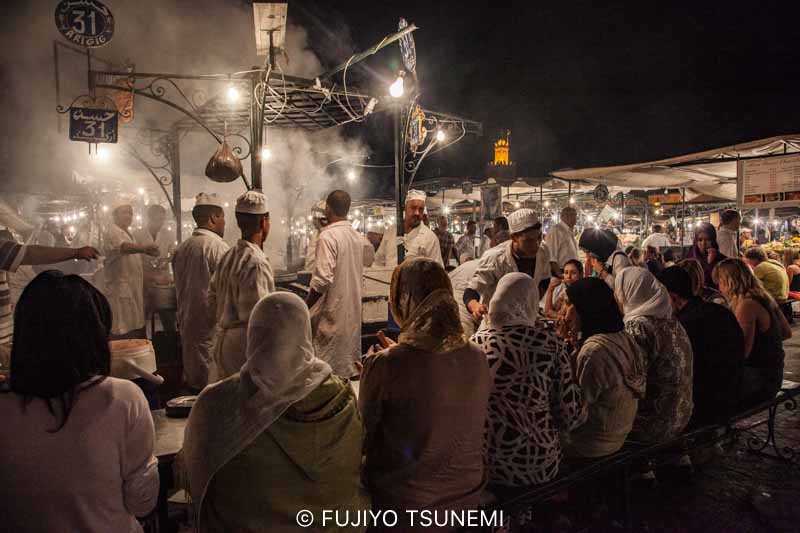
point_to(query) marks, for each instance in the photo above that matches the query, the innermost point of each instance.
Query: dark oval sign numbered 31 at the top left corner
(87, 23)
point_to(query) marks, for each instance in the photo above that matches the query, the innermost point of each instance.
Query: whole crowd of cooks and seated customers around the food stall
(487, 389)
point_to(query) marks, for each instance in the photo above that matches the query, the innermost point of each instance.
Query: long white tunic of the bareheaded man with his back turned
(336, 317)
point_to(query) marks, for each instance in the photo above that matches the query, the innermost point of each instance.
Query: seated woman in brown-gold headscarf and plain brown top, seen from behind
(424, 401)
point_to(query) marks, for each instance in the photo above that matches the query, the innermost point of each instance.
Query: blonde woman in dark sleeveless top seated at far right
(764, 328)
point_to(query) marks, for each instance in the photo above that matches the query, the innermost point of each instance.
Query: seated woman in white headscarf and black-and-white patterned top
(534, 395)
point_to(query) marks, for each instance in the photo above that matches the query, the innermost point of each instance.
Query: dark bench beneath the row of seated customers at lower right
(633, 458)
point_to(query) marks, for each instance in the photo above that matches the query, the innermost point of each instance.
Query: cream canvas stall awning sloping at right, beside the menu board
(711, 172)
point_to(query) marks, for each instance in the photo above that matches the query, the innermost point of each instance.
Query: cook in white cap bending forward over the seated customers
(524, 252)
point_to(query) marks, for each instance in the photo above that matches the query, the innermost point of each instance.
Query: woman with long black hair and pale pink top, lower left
(77, 445)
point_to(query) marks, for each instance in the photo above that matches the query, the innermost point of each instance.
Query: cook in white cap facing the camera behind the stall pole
(419, 240)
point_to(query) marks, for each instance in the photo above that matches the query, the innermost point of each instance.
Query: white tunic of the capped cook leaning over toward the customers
(499, 261)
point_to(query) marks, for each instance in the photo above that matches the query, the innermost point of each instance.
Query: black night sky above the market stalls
(591, 83)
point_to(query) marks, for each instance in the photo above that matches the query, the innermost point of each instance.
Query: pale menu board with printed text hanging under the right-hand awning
(769, 181)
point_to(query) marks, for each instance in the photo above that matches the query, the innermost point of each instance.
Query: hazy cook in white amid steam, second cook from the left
(156, 271)
